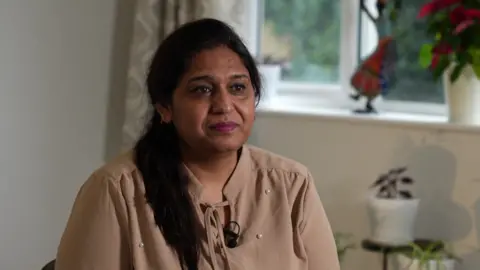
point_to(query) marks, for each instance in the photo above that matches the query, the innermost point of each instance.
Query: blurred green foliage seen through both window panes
(313, 27)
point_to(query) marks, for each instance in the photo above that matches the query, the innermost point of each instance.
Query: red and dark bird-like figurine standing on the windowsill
(376, 73)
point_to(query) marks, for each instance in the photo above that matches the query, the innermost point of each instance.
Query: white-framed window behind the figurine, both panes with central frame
(322, 41)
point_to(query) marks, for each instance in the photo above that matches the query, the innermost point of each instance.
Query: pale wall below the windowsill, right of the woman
(345, 156)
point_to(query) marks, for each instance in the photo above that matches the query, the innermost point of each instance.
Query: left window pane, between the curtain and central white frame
(302, 42)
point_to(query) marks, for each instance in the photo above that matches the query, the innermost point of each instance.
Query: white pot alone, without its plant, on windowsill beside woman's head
(271, 75)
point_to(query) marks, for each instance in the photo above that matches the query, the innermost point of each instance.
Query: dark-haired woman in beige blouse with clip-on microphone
(192, 195)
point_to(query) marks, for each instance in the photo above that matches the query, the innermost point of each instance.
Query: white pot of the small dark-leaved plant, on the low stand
(392, 220)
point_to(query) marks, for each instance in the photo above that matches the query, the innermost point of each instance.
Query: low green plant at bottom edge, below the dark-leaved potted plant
(433, 257)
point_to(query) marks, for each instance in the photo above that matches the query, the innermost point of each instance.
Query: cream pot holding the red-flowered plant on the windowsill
(463, 97)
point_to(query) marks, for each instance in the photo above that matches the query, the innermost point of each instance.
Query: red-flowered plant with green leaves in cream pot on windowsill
(454, 54)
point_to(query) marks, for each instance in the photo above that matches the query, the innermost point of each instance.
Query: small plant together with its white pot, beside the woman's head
(271, 72)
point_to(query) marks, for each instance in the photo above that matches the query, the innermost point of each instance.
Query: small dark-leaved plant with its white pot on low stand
(393, 209)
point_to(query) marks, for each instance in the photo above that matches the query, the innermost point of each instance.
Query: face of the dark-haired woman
(213, 107)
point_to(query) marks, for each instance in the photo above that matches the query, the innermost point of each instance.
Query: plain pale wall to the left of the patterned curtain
(54, 90)
